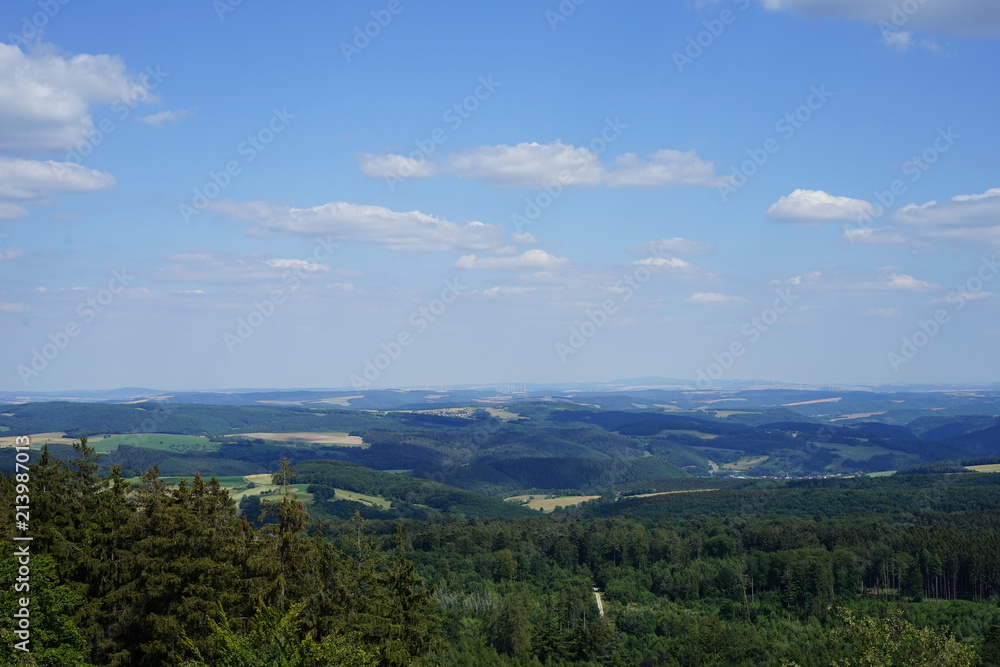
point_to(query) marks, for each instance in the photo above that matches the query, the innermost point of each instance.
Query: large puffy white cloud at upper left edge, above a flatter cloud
(45, 98)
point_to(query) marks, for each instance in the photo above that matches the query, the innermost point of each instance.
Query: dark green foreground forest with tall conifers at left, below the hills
(153, 574)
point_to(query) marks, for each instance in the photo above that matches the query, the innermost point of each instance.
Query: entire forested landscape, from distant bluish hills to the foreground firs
(709, 538)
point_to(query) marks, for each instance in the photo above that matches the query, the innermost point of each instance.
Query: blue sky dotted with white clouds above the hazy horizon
(220, 194)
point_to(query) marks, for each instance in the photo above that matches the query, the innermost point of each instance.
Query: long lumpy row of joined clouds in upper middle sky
(553, 165)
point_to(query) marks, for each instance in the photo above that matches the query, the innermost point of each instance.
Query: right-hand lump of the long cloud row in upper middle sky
(665, 167)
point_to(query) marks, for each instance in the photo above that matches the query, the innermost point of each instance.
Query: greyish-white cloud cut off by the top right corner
(954, 17)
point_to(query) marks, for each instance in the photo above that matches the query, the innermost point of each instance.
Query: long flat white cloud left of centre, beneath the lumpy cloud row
(408, 231)
